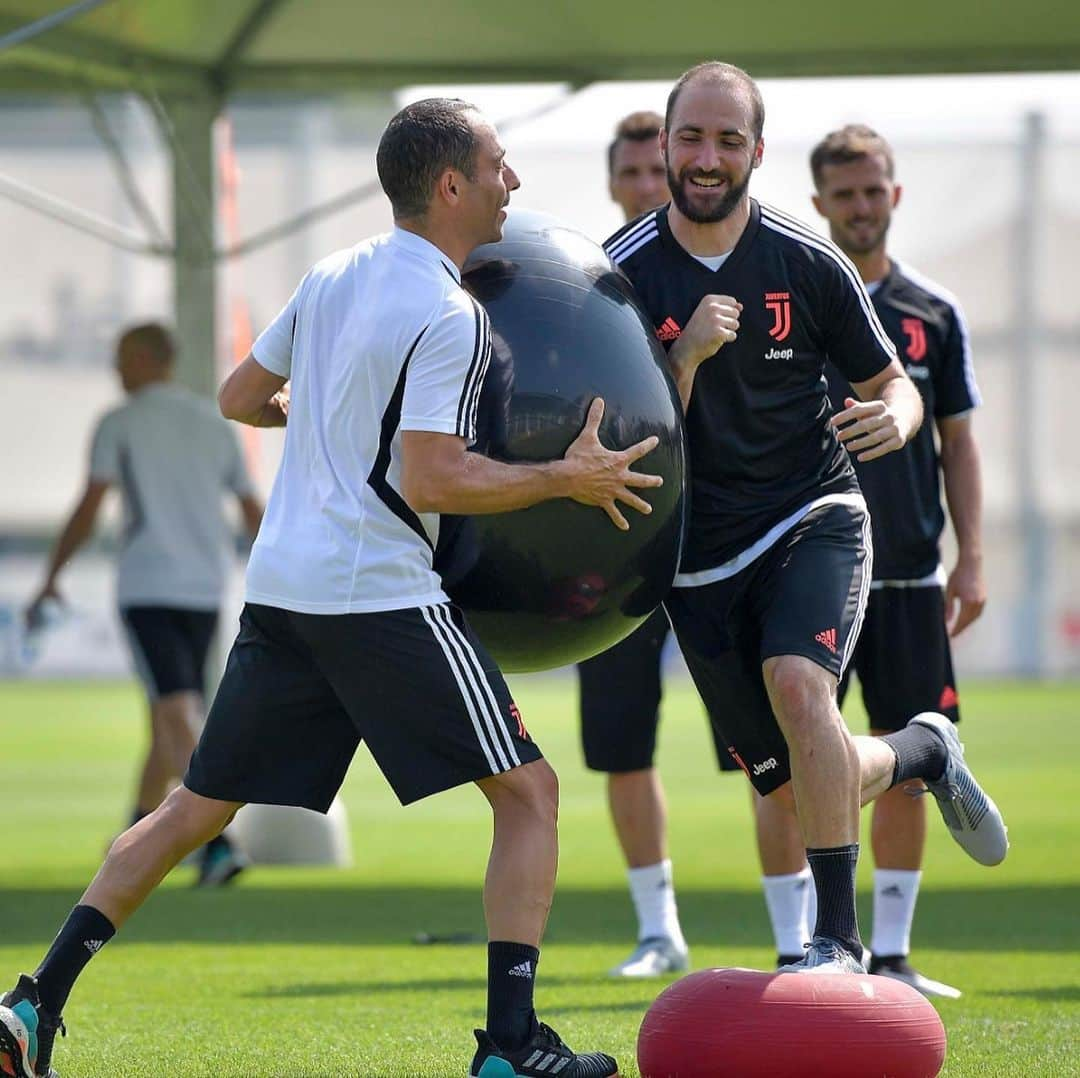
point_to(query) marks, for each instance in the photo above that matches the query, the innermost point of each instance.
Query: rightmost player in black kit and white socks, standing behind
(903, 658)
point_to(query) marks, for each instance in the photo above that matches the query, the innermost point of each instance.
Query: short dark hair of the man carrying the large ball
(421, 143)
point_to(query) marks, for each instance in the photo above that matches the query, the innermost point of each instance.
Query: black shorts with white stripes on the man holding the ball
(302, 691)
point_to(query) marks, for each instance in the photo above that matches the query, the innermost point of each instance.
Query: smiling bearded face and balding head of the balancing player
(711, 150)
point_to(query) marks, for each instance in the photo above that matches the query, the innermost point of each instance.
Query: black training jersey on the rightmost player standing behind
(903, 490)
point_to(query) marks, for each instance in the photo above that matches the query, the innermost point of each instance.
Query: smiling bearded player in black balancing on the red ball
(774, 581)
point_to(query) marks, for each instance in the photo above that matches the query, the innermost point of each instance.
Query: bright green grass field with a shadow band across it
(313, 973)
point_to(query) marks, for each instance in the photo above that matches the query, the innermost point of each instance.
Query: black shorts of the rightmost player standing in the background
(903, 658)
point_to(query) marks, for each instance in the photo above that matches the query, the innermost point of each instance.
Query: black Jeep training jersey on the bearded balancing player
(761, 444)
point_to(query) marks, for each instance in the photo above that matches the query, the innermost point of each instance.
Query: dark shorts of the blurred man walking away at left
(170, 648)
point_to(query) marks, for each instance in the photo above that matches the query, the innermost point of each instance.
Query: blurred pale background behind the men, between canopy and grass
(991, 210)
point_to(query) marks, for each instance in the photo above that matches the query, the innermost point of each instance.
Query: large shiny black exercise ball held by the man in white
(559, 583)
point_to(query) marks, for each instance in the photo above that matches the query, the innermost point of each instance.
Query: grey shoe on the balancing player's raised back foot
(974, 820)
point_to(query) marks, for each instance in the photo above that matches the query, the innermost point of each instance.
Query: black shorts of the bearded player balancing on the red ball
(805, 596)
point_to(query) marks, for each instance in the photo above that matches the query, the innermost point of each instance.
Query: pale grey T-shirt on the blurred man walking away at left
(175, 460)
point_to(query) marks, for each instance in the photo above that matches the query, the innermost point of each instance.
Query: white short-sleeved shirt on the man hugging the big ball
(376, 340)
